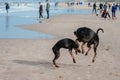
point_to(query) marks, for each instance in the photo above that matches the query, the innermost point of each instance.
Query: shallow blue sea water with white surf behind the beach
(27, 13)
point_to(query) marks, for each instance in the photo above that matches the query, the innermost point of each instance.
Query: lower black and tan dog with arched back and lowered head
(67, 44)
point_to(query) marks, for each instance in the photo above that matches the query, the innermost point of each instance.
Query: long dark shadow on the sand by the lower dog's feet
(43, 63)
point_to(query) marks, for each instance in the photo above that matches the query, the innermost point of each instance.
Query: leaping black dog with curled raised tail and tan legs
(86, 35)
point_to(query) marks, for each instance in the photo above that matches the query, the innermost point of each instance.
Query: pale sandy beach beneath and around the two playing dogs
(31, 59)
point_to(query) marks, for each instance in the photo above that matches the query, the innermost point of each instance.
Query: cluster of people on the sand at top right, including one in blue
(104, 10)
